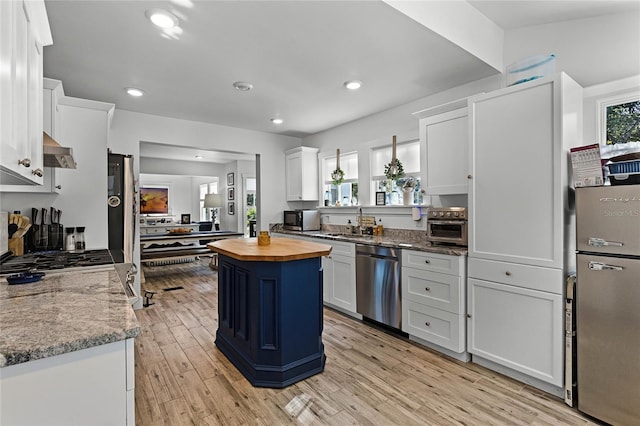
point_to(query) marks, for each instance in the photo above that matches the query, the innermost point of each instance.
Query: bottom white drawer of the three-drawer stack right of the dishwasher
(433, 325)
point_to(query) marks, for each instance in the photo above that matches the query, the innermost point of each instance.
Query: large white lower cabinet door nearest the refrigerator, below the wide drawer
(518, 328)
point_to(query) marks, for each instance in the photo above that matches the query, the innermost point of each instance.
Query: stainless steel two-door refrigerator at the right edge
(608, 303)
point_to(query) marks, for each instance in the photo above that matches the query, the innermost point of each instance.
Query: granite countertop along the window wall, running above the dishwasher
(393, 238)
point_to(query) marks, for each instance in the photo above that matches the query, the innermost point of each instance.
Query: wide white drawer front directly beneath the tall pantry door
(533, 277)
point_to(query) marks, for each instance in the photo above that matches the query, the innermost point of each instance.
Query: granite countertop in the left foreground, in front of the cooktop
(64, 312)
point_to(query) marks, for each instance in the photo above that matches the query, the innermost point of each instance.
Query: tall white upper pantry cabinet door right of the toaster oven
(516, 189)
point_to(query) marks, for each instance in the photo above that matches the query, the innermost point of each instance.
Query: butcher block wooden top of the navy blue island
(279, 250)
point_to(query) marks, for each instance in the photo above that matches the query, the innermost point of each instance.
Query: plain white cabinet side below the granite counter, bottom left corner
(93, 386)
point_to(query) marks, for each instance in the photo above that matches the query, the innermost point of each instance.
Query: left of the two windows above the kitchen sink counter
(345, 194)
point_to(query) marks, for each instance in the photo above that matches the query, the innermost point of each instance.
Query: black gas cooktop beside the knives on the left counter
(55, 260)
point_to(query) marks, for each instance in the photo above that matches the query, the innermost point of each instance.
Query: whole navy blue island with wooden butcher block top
(270, 308)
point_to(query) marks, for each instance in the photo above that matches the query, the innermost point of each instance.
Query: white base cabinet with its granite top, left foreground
(66, 350)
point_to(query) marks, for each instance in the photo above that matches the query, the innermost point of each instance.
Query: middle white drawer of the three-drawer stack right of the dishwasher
(433, 289)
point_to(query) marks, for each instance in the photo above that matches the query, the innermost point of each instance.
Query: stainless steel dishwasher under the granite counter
(378, 284)
